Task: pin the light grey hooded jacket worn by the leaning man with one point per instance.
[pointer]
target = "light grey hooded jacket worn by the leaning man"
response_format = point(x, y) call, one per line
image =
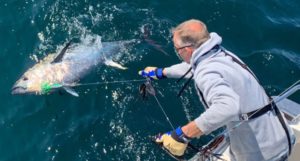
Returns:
point(229, 90)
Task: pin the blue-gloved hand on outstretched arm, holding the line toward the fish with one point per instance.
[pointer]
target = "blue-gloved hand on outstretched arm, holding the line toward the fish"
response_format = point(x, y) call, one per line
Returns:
point(152, 72)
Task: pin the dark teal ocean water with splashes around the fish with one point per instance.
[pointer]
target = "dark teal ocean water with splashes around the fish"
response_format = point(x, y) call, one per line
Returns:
point(112, 122)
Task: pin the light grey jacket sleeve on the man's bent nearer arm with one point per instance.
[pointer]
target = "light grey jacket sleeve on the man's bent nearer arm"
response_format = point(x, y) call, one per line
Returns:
point(222, 100)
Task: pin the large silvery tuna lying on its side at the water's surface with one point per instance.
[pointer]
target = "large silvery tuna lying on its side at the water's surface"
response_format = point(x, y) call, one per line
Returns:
point(68, 66)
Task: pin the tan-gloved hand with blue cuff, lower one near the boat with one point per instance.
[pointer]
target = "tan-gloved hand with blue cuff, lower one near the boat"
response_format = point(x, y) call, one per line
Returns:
point(175, 141)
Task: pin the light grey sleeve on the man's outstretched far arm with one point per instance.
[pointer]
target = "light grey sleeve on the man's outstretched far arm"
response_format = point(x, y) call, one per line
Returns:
point(178, 70)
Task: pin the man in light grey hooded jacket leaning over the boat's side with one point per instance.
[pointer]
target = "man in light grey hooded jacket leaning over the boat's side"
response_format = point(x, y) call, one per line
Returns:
point(230, 92)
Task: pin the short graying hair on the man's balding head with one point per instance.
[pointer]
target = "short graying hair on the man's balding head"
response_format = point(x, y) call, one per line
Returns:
point(190, 35)
